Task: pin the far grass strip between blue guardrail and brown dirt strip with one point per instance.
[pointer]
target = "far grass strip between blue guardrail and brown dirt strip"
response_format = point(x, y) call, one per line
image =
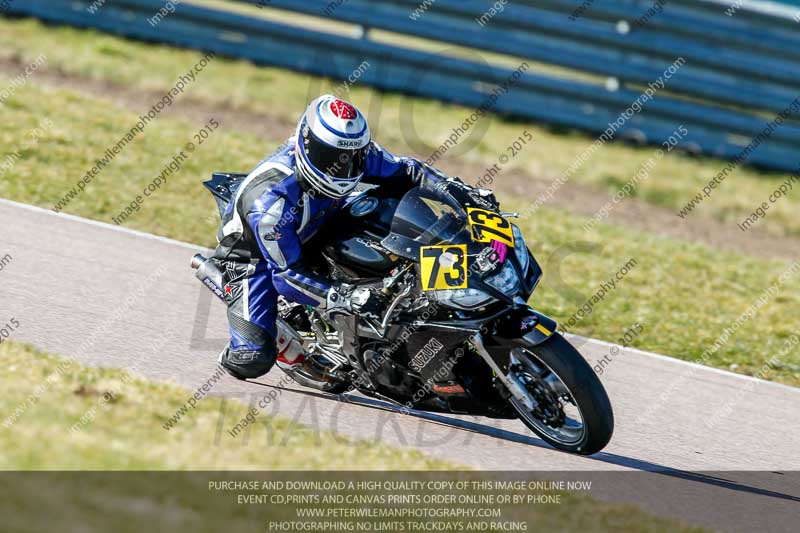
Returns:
point(672, 183)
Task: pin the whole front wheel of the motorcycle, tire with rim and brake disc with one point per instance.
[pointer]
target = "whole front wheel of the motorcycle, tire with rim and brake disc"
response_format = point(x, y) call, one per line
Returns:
point(569, 407)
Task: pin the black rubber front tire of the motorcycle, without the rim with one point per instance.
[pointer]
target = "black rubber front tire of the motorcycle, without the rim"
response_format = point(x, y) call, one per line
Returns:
point(585, 388)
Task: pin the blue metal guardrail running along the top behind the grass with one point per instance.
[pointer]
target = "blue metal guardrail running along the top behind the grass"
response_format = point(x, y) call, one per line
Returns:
point(739, 71)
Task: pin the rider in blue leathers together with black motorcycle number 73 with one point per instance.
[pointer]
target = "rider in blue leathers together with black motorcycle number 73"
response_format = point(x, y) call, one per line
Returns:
point(416, 279)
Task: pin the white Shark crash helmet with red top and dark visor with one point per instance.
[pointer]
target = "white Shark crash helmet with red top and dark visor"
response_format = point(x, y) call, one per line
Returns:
point(332, 142)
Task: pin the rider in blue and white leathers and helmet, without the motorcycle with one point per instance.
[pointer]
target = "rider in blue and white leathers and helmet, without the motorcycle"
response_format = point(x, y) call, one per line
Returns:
point(280, 206)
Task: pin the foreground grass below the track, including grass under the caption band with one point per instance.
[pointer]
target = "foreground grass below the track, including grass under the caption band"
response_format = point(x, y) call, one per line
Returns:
point(123, 432)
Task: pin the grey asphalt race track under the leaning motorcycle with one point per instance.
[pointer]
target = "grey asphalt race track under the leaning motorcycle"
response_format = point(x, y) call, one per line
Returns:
point(717, 449)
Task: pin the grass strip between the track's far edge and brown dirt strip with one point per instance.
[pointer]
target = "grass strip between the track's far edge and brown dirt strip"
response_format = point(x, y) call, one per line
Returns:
point(684, 294)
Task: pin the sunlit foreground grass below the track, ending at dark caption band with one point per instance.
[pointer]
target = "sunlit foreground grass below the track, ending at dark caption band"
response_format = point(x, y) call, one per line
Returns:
point(119, 417)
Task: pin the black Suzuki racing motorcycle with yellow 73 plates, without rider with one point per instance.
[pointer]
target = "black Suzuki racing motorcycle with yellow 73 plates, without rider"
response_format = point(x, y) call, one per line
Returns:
point(456, 334)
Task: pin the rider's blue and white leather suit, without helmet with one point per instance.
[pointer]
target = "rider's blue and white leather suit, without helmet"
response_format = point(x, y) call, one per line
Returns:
point(273, 215)
